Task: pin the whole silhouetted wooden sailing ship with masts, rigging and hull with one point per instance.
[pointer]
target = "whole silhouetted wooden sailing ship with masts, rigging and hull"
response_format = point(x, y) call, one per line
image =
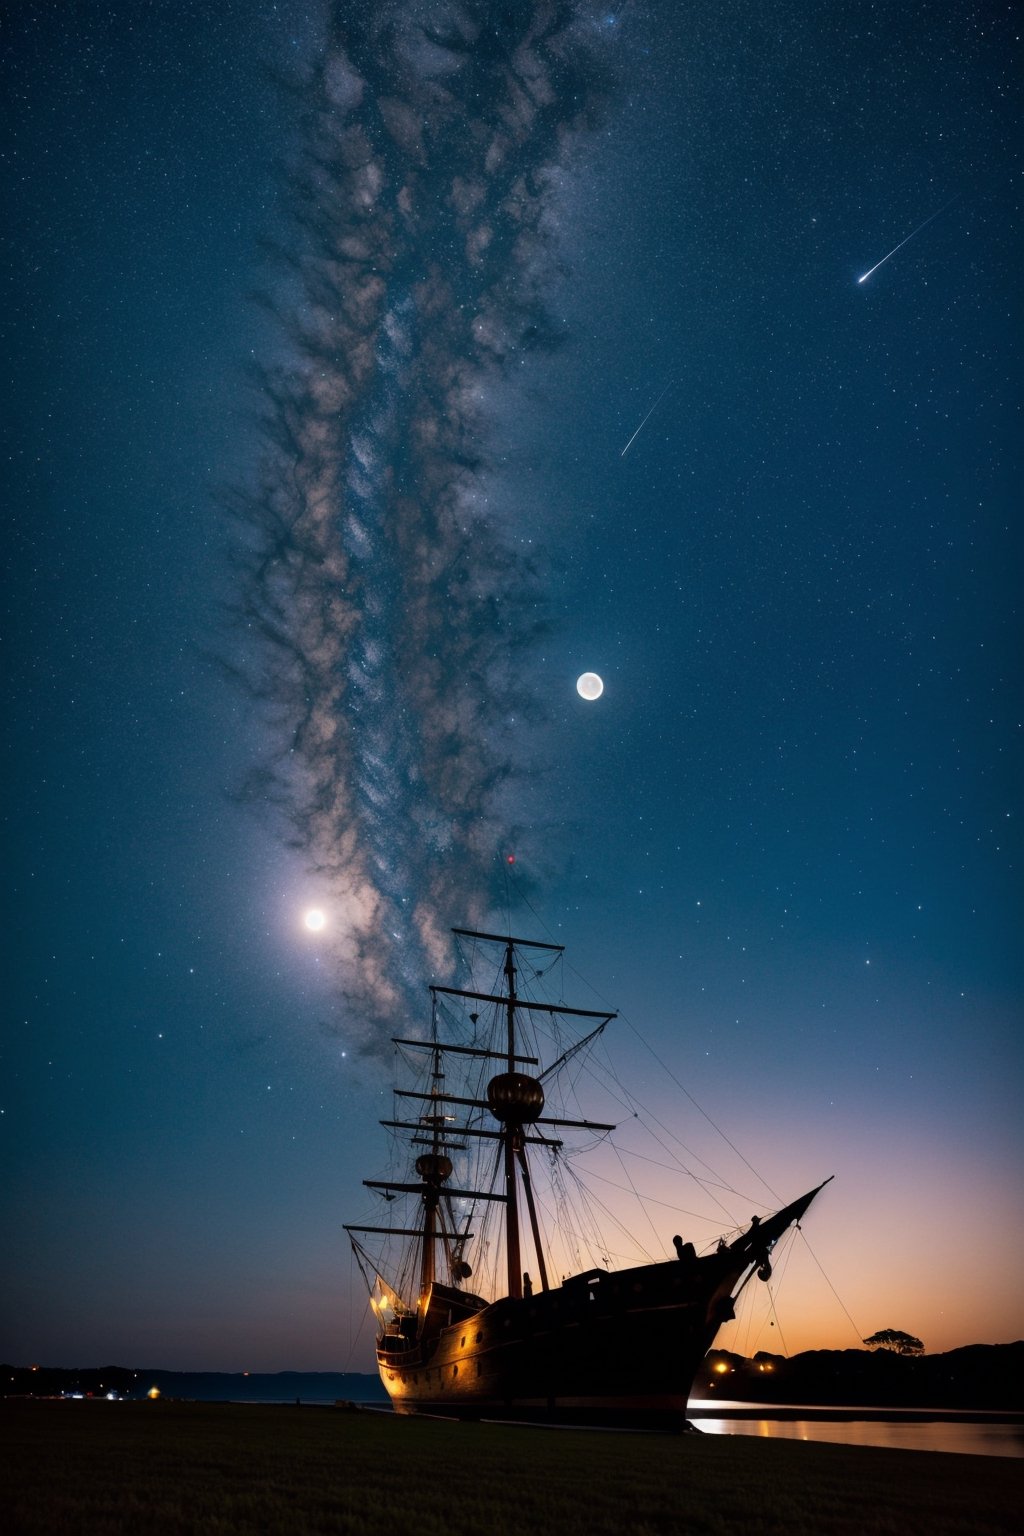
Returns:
point(603, 1345)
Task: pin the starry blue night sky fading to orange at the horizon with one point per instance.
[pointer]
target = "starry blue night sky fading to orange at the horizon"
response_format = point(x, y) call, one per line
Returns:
point(325, 334)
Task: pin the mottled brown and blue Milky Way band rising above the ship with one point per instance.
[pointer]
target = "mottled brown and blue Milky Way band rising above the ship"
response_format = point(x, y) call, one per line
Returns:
point(392, 609)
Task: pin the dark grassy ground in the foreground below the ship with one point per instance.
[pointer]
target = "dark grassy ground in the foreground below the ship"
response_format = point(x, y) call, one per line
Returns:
point(116, 1469)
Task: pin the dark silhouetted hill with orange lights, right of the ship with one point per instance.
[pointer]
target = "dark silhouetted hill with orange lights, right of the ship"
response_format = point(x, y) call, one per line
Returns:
point(977, 1377)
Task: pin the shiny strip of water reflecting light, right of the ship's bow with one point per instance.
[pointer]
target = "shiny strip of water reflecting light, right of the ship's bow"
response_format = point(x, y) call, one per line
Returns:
point(965, 1435)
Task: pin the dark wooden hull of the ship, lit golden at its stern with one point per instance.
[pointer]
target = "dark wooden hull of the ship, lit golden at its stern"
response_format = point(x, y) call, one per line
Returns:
point(600, 1349)
